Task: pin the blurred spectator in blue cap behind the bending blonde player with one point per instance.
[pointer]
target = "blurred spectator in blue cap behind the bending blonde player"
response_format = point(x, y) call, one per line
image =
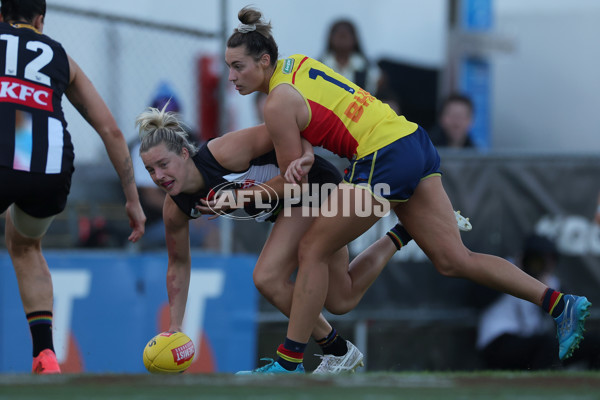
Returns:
point(203, 233)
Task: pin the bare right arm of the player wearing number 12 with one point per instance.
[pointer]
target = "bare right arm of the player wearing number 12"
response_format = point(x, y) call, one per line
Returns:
point(84, 97)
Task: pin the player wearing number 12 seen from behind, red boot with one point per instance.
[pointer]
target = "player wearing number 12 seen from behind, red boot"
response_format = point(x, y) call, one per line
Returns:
point(36, 156)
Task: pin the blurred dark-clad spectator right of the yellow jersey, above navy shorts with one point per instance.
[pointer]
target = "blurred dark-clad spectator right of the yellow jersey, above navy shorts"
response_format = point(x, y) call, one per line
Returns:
point(454, 123)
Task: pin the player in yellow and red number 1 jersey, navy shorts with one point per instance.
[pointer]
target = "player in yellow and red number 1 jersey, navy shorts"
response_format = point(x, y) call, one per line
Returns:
point(307, 99)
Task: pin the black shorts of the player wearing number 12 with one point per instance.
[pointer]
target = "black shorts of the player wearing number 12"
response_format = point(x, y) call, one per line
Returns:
point(38, 195)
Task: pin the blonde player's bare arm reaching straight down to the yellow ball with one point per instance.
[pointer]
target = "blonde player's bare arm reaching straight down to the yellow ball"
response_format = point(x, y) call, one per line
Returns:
point(177, 234)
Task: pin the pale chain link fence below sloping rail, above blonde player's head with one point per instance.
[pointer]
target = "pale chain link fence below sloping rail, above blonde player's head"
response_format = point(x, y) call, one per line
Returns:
point(127, 60)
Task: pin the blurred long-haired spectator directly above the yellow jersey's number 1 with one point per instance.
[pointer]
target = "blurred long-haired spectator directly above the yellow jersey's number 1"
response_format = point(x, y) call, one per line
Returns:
point(344, 54)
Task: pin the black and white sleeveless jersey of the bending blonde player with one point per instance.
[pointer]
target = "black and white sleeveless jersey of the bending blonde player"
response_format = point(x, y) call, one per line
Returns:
point(261, 170)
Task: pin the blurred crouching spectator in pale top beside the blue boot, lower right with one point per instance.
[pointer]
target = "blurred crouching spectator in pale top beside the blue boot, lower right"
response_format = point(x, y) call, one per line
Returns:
point(515, 334)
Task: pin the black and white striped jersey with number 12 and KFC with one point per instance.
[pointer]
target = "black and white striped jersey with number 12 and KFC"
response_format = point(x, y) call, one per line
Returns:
point(34, 74)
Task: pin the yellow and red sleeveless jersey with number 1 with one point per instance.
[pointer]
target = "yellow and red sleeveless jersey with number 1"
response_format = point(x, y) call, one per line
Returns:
point(344, 118)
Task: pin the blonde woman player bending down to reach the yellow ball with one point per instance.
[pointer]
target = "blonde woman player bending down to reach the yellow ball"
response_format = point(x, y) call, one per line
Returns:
point(189, 174)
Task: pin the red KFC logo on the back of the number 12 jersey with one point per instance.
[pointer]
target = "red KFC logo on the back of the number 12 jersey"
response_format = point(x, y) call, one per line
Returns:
point(16, 91)
